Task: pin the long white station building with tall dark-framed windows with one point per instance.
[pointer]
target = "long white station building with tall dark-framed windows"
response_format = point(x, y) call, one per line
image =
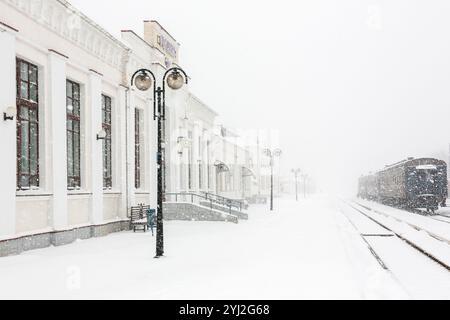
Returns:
point(65, 84)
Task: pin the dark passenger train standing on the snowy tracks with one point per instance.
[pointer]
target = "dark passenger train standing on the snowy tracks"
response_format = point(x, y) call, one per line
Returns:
point(411, 183)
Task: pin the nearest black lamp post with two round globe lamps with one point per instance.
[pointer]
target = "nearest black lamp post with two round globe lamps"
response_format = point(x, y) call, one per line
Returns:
point(144, 80)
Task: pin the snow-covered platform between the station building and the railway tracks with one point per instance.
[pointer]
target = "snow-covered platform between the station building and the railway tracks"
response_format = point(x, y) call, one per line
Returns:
point(305, 250)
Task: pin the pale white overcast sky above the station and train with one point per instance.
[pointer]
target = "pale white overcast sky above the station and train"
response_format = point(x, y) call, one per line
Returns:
point(351, 85)
